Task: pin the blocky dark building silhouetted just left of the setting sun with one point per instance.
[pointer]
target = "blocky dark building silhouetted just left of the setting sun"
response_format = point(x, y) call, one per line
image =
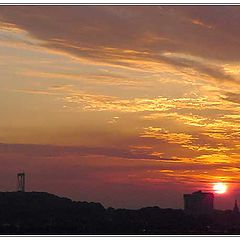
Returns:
point(199, 203)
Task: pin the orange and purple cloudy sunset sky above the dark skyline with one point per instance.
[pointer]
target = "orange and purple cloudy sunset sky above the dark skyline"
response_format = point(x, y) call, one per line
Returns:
point(130, 106)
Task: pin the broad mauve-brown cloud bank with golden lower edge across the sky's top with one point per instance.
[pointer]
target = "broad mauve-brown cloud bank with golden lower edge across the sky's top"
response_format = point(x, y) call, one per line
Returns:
point(140, 40)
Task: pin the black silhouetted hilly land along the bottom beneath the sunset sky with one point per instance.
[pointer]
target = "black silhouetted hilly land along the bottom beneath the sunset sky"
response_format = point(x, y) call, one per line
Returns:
point(44, 213)
